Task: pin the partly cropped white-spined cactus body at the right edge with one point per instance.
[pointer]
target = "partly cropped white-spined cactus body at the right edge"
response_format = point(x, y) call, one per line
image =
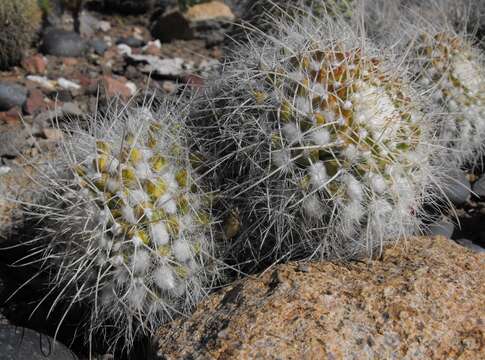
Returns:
point(452, 70)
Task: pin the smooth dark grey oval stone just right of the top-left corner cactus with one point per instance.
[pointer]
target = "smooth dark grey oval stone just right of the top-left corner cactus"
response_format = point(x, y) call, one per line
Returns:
point(59, 42)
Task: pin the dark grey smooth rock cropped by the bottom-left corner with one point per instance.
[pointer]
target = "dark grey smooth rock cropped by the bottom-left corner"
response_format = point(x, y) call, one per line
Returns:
point(25, 344)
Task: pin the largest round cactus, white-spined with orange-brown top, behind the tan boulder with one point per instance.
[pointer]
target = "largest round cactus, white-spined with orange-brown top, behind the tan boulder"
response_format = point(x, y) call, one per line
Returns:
point(321, 143)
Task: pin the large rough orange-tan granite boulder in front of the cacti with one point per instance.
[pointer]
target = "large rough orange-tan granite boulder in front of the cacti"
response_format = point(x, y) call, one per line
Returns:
point(423, 300)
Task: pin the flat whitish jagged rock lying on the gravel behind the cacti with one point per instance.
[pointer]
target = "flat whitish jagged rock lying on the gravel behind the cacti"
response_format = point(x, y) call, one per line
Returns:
point(162, 67)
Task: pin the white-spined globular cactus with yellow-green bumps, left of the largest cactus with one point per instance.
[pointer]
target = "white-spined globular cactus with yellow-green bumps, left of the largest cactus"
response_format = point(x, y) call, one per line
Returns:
point(126, 226)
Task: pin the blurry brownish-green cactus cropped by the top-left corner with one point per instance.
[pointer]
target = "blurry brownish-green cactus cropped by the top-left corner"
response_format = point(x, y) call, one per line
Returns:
point(21, 19)
